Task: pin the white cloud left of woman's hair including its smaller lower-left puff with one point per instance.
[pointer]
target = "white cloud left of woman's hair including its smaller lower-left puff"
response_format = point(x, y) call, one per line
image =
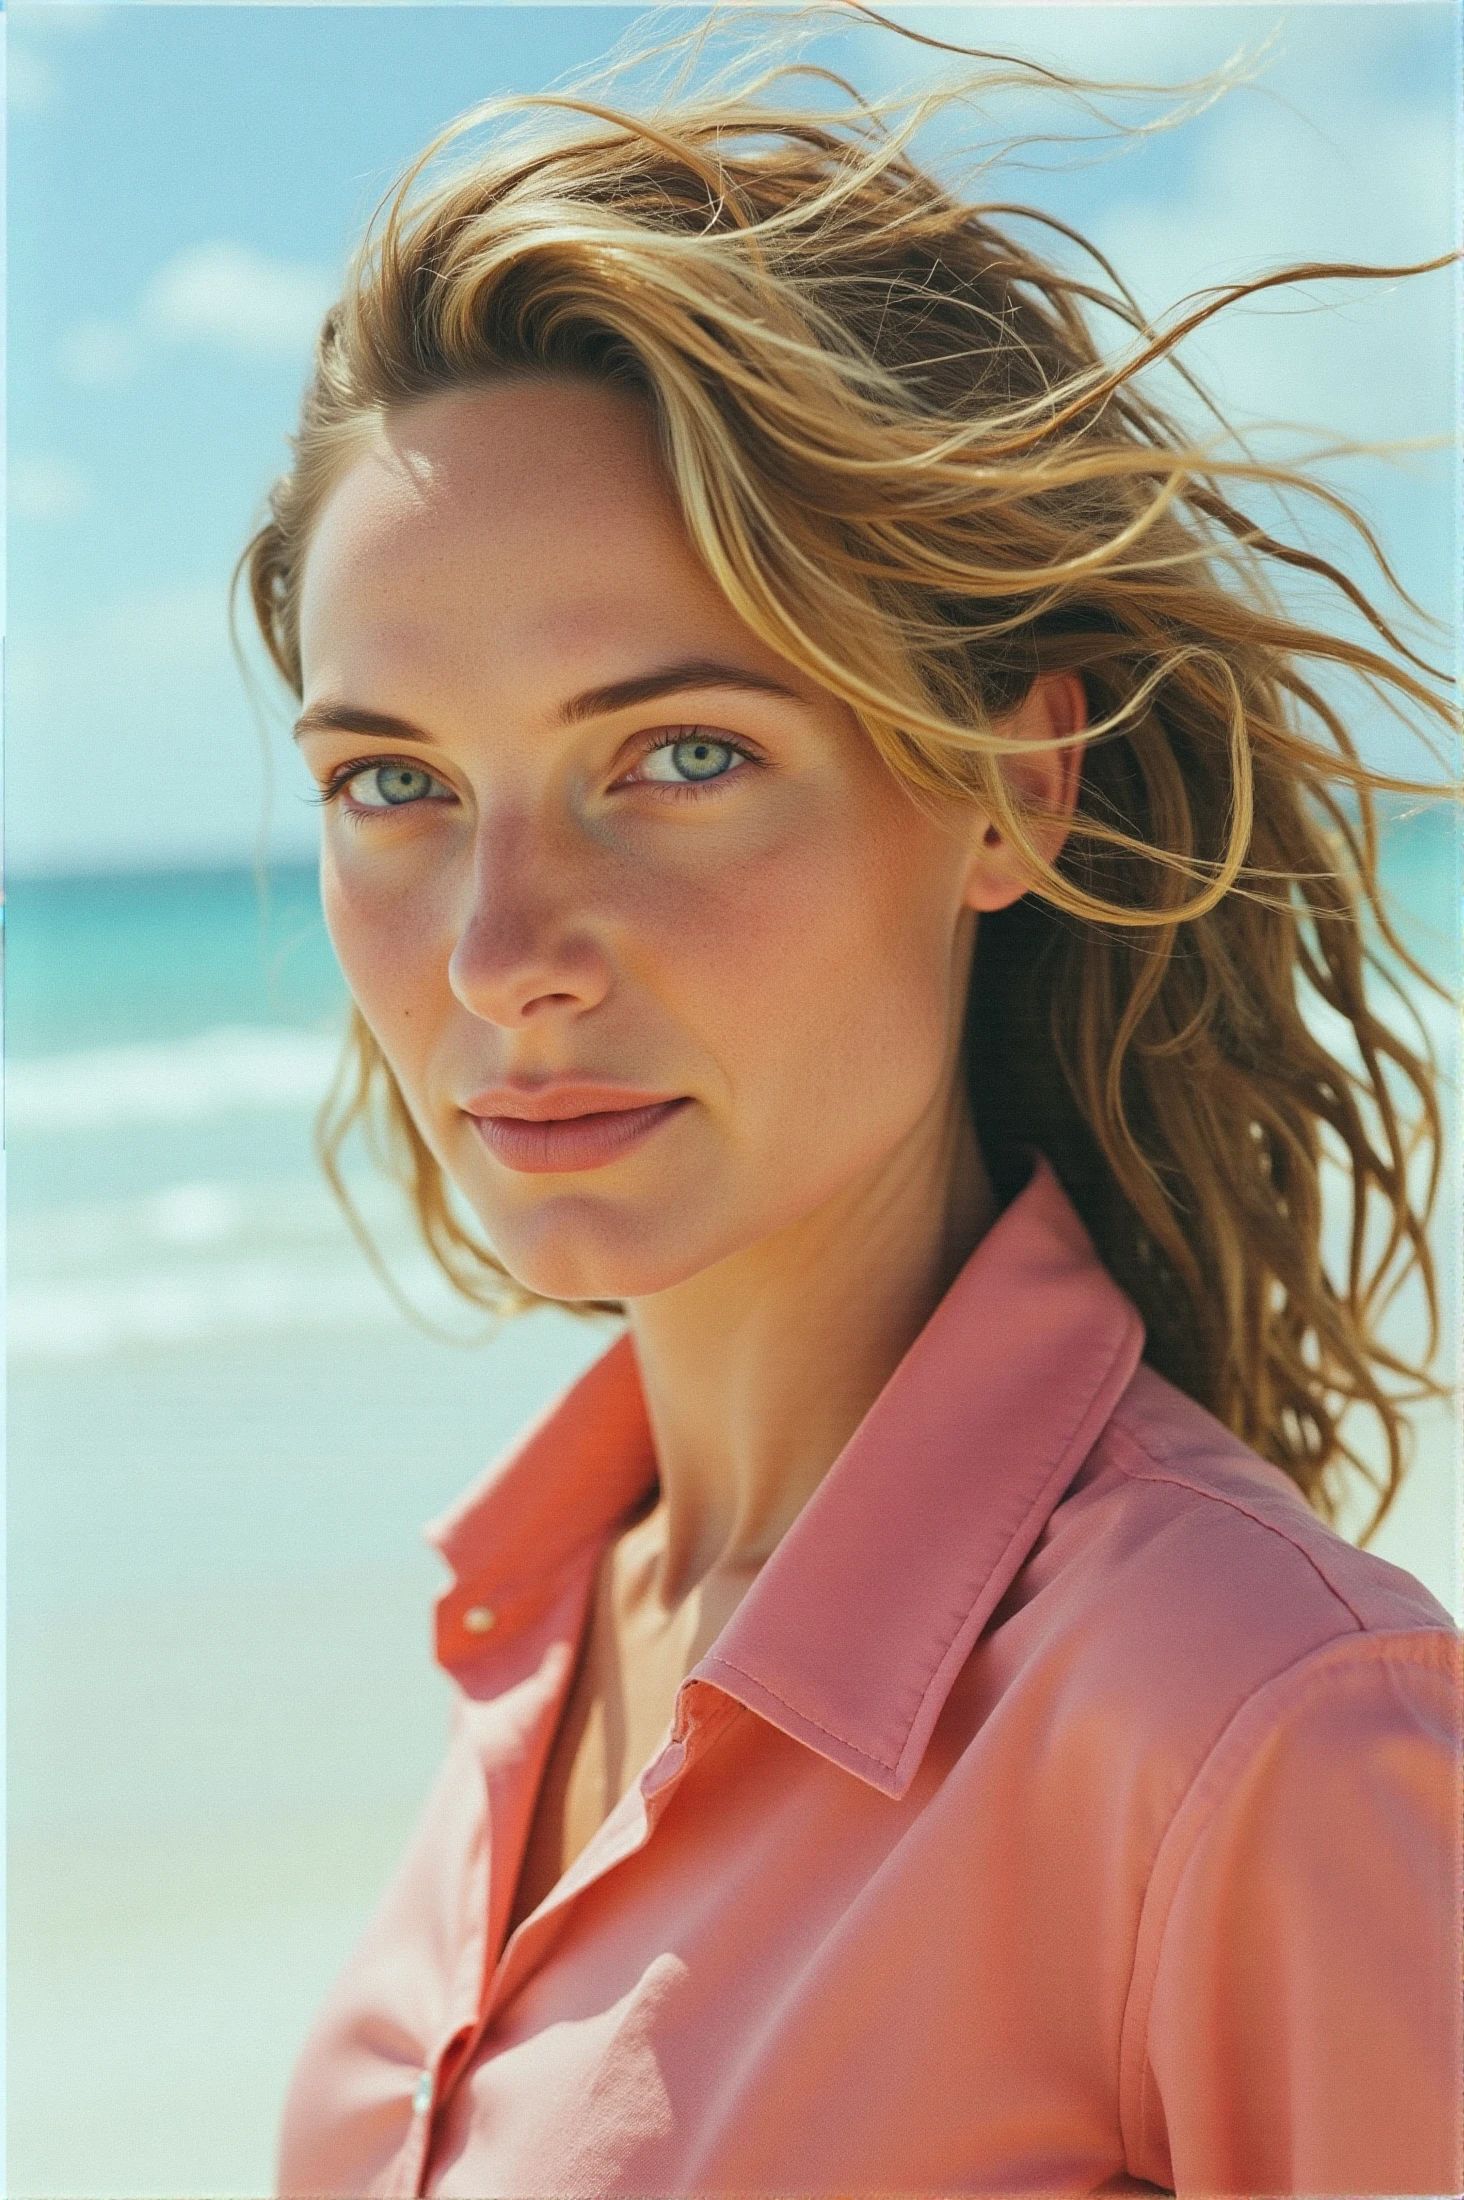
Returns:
point(223, 294)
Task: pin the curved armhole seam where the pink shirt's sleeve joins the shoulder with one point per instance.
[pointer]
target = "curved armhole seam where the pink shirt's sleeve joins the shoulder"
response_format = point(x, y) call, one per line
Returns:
point(1412, 1647)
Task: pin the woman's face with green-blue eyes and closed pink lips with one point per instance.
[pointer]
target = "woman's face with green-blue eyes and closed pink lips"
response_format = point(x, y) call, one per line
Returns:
point(659, 951)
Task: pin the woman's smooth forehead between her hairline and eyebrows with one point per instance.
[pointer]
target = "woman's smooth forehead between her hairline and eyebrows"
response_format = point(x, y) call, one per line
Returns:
point(527, 516)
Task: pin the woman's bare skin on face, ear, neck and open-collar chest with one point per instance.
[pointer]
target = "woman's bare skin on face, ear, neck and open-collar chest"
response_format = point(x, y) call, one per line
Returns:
point(787, 949)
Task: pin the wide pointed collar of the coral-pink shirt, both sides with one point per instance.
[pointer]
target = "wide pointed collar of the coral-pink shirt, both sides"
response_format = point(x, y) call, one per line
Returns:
point(853, 1633)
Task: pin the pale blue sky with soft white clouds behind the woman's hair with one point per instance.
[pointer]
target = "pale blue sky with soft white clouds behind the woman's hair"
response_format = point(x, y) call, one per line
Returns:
point(186, 184)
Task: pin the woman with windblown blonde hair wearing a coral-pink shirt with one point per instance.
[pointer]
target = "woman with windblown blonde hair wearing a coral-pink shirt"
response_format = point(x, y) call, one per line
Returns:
point(829, 835)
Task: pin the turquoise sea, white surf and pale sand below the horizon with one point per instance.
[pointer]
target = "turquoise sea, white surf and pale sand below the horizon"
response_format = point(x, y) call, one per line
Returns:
point(223, 1440)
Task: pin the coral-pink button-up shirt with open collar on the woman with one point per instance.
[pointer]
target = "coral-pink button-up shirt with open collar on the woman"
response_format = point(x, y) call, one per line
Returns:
point(1064, 1809)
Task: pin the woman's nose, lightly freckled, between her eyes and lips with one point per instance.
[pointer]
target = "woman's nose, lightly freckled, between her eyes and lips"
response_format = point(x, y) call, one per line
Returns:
point(527, 947)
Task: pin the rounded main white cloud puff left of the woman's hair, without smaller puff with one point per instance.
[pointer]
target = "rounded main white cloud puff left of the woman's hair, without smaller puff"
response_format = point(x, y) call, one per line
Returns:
point(237, 298)
